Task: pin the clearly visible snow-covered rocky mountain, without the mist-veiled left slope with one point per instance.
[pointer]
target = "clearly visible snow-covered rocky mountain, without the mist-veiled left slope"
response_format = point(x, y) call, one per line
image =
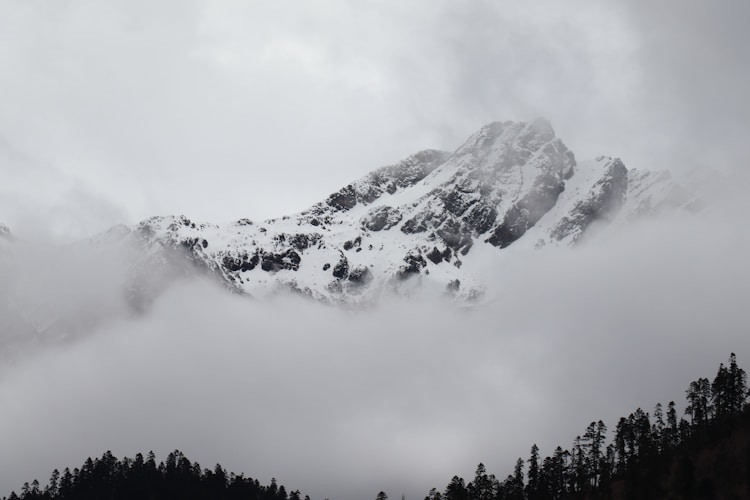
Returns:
point(413, 224)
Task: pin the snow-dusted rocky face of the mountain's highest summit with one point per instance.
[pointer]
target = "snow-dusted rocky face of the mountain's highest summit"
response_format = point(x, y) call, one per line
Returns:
point(508, 175)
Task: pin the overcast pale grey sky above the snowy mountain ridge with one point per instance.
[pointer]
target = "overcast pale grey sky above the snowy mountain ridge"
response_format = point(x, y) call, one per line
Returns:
point(113, 112)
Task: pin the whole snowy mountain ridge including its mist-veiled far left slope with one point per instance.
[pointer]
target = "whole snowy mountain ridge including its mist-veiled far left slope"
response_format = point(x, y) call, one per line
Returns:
point(431, 223)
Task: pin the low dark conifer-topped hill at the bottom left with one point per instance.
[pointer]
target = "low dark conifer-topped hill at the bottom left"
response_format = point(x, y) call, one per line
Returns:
point(108, 478)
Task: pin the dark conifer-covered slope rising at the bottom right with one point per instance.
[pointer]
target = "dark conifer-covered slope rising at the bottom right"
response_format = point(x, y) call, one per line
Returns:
point(650, 456)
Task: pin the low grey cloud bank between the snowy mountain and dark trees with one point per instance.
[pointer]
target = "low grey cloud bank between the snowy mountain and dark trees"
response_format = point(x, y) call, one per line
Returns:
point(399, 398)
